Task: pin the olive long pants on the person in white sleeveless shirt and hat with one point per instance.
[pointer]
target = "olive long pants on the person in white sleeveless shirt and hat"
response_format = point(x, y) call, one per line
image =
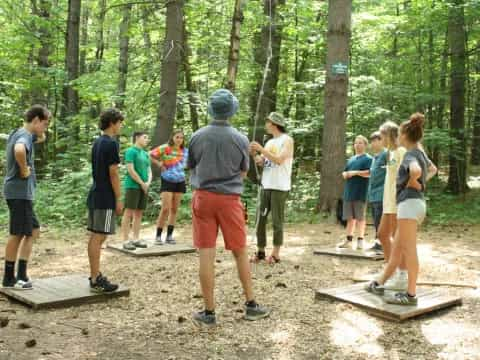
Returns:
point(271, 201)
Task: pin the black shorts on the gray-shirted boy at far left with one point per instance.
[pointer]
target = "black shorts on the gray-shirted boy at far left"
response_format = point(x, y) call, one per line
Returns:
point(22, 217)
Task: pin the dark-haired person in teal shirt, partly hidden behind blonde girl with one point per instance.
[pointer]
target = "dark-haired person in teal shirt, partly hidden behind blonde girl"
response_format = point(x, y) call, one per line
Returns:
point(376, 184)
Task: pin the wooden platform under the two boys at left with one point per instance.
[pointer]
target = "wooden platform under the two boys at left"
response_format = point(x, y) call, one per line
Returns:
point(61, 291)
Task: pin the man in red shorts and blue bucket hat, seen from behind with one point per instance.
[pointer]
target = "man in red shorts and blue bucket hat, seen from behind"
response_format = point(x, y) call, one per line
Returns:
point(218, 159)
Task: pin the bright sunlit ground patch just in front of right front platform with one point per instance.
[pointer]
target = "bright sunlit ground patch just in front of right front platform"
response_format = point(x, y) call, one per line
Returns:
point(357, 331)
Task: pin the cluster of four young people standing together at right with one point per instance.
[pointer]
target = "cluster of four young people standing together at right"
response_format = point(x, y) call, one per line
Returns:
point(393, 182)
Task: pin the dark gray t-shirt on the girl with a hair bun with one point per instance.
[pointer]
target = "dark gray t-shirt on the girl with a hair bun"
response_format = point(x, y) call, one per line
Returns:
point(404, 193)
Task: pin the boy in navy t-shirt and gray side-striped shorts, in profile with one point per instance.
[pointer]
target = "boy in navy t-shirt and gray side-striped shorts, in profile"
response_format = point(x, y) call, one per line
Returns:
point(104, 198)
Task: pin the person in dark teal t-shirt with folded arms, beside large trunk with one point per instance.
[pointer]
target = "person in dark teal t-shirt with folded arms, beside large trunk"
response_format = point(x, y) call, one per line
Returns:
point(356, 174)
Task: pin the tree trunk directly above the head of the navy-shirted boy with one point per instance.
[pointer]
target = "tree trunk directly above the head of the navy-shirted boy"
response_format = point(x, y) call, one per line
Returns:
point(123, 56)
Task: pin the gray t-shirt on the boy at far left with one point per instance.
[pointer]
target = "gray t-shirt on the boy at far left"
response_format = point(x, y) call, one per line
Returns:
point(14, 187)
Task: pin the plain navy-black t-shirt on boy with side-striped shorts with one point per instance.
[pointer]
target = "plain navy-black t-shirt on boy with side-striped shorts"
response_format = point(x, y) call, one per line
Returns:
point(105, 152)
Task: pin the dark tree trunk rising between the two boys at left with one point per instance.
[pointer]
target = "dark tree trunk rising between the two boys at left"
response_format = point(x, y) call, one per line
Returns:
point(70, 95)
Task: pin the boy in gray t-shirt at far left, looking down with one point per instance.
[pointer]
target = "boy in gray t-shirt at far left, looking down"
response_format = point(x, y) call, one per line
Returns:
point(19, 192)
